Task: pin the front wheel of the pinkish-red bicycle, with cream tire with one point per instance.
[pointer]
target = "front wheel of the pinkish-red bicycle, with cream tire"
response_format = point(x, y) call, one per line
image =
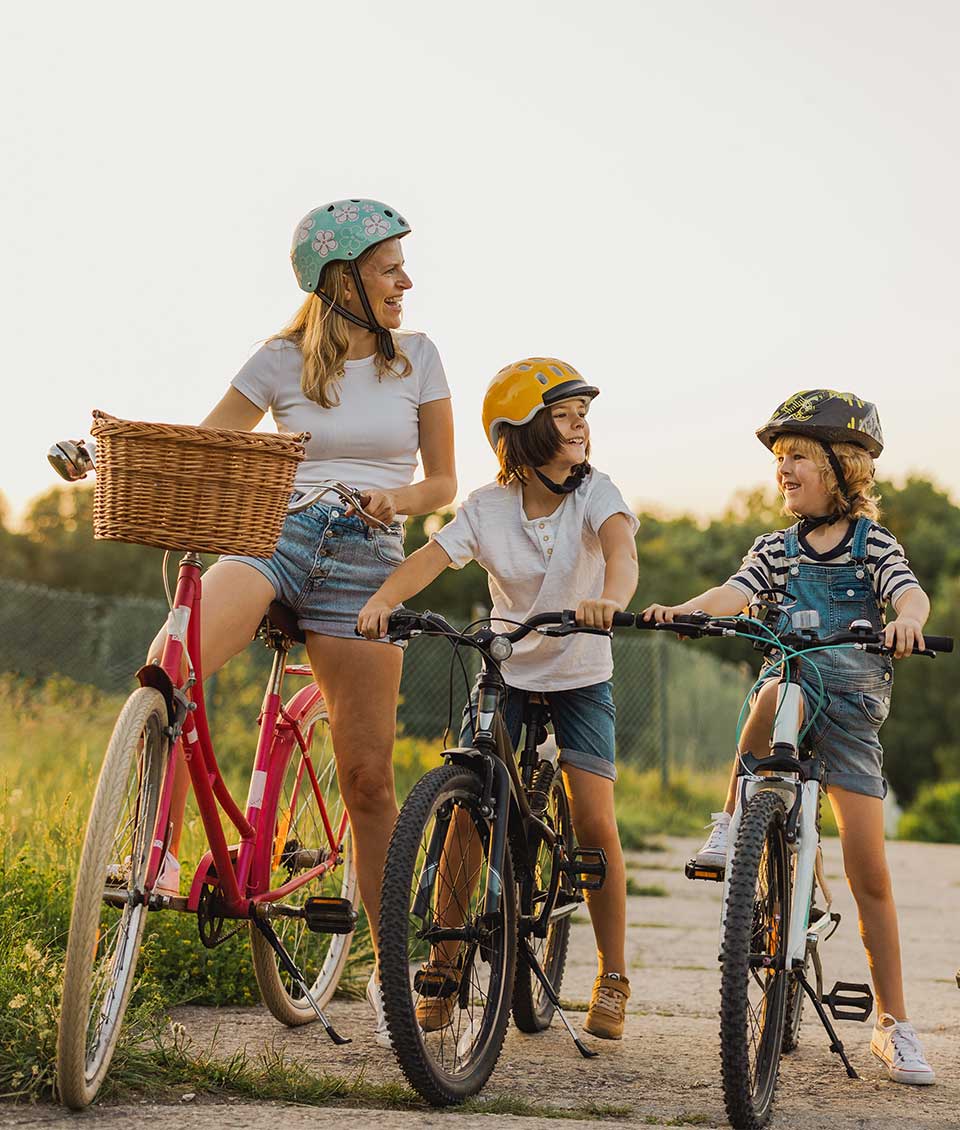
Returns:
point(107, 923)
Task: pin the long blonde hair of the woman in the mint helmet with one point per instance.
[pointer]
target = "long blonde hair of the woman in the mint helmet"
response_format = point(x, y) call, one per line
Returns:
point(321, 336)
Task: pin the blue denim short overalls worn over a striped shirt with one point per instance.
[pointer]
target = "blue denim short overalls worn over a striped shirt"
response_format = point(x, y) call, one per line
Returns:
point(857, 684)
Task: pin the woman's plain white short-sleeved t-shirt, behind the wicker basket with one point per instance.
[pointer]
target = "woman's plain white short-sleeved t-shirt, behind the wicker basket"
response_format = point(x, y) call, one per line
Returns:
point(370, 440)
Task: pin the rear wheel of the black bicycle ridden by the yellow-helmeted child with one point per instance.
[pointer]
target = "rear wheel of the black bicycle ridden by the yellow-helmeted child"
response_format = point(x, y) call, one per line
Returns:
point(531, 1006)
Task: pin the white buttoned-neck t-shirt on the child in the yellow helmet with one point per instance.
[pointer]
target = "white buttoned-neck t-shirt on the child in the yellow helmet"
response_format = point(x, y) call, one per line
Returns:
point(492, 528)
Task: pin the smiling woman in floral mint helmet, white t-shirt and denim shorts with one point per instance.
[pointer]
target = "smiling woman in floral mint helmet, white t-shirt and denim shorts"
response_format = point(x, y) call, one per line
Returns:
point(372, 398)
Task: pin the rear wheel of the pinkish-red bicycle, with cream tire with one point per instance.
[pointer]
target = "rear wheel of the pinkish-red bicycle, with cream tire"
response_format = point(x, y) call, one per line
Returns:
point(301, 842)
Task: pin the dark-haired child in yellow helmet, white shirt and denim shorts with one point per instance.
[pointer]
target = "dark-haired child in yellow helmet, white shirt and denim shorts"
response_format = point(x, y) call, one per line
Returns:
point(552, 533)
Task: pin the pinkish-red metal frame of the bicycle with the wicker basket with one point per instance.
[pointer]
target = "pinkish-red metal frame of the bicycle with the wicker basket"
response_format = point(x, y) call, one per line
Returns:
point(242, 872)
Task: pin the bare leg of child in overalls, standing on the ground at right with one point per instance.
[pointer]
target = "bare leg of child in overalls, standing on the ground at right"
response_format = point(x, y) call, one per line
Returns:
point(860, 821)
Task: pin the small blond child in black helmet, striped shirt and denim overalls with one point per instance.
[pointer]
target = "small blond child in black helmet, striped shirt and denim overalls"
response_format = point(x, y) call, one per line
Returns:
point(839, 561)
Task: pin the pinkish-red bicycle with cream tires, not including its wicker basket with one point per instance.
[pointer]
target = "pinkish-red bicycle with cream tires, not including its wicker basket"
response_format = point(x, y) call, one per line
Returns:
point(290, 873)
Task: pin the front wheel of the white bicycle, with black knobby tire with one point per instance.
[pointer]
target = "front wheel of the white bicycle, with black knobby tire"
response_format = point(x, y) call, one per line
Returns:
point(754, 981)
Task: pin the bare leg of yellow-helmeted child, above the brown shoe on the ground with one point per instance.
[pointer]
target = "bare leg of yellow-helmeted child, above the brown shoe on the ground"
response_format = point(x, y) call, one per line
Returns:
point(596, 827)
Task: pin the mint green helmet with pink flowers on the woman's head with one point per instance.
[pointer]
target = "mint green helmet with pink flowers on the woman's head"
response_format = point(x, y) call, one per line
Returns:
point(341, 231)
